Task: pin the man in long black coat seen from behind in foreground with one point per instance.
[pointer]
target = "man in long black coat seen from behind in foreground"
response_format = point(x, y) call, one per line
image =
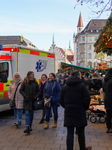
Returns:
point(75, 99)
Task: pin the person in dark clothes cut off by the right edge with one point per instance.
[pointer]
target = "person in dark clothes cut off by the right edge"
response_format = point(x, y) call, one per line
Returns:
point(108, 99)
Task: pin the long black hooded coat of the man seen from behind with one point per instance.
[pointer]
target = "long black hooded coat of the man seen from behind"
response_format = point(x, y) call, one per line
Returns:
point(75, 99)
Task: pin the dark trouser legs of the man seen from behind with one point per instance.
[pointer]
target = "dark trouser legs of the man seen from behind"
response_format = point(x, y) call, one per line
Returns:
point(70, 138)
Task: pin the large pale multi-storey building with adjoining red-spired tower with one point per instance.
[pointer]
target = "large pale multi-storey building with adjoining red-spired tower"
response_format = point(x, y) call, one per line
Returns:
point(84, 40)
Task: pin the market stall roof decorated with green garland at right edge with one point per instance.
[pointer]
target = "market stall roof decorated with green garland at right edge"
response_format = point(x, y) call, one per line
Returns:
point(104, 42)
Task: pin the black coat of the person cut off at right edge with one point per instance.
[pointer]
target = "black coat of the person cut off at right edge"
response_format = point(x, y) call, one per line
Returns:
point(108, 91)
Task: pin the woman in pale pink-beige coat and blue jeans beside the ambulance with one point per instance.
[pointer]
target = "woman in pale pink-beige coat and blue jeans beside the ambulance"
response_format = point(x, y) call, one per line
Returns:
point(13, 93)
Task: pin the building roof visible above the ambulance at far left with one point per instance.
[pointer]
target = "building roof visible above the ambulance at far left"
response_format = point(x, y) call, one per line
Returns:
point(6, 40)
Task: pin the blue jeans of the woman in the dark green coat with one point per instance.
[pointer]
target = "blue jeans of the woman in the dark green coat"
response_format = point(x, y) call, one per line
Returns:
point(29, 117)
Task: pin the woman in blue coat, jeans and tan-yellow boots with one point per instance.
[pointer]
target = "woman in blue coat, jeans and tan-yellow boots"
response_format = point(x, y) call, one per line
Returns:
point(52, 88)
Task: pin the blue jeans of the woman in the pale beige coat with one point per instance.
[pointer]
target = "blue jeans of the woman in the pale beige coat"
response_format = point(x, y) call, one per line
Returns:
point(18, 115)
